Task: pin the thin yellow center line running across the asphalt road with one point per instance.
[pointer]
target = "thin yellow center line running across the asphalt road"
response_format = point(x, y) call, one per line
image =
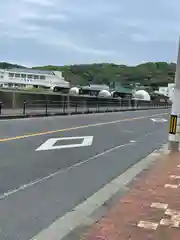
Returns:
point(77, 127)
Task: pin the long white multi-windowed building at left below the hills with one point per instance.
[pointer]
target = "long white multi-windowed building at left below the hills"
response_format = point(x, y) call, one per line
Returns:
point(25, 77)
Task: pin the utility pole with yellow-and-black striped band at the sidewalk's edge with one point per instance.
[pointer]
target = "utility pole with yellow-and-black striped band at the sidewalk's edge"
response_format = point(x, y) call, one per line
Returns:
point(174, 129)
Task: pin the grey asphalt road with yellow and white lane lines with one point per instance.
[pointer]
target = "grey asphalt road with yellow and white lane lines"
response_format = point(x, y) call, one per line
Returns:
point(37, 187)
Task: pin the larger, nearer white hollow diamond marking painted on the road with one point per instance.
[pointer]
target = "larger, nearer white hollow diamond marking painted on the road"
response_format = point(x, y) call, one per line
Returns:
point(49, 144)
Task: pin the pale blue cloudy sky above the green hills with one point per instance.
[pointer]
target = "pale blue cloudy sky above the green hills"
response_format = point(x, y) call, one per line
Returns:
point(42, 32)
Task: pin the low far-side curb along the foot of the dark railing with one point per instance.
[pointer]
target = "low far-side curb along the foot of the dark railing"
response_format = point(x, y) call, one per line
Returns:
point(21, 116)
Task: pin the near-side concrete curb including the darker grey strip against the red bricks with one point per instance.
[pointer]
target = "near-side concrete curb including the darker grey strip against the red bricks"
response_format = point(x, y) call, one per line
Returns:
point(74, 223)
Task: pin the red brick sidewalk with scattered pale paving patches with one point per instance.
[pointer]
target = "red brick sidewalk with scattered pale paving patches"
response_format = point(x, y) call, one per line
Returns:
point(149, 211)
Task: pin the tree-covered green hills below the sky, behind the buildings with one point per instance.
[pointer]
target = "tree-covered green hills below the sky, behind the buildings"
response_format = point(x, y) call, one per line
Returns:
point(150, 74)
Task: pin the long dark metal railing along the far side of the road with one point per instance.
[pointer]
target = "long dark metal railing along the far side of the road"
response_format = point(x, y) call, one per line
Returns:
point(46, 108)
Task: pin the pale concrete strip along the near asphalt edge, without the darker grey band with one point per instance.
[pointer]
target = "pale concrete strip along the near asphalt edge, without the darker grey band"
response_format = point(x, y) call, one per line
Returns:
point(79, 215)
